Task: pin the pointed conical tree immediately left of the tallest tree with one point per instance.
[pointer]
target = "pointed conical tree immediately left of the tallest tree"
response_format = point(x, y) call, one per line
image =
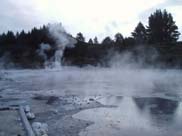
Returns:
point(140, 34)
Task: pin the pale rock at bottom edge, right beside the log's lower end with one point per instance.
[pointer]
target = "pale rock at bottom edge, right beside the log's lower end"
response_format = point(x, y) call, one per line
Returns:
point(40, 129)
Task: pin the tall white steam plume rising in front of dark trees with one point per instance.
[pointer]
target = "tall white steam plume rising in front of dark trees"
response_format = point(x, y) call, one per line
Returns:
point(62, 40)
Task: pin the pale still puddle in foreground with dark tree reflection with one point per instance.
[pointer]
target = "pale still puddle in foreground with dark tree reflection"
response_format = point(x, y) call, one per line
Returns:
point(134, 117)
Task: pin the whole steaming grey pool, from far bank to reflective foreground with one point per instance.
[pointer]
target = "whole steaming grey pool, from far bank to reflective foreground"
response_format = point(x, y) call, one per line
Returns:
point(132, 102)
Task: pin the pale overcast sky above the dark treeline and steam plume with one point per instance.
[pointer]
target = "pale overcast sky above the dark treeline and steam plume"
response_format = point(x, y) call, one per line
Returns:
point(91, 17)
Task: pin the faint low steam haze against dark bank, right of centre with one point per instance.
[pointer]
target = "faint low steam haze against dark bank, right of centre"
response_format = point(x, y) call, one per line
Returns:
point(139, 57)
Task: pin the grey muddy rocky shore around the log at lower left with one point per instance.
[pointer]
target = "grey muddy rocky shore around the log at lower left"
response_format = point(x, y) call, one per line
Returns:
point(55, 111)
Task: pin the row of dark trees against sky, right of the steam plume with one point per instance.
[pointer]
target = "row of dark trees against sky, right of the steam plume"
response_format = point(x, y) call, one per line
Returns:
point(161, 29)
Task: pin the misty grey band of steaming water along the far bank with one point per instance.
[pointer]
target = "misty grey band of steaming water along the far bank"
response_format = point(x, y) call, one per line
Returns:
point(96, 81)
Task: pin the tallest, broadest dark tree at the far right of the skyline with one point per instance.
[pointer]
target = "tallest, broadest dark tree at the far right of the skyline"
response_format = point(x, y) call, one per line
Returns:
point(162, 28)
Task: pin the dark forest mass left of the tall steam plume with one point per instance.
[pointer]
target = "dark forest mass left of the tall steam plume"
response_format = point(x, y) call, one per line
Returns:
point(22, 48)
